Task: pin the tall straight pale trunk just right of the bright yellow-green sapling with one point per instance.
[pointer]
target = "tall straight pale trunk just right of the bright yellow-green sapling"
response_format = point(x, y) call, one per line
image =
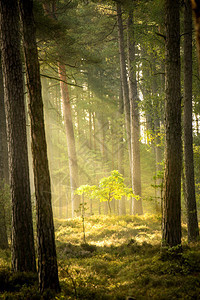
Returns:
point(134, 120)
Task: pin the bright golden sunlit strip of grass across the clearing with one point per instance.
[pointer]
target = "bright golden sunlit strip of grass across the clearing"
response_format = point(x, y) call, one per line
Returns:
point(110, 230)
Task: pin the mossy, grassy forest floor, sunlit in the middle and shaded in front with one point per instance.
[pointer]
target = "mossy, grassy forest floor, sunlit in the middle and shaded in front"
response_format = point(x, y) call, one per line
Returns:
point(121, 259)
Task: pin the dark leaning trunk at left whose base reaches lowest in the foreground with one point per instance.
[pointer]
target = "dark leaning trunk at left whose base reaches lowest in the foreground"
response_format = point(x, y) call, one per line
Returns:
point(47, 260)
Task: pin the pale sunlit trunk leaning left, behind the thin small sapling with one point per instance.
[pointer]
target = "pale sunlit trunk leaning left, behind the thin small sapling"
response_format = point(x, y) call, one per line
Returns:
point(73, 164)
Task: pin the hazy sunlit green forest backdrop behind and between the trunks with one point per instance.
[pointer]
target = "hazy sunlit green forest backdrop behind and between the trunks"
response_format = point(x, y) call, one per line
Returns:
point(92, 65)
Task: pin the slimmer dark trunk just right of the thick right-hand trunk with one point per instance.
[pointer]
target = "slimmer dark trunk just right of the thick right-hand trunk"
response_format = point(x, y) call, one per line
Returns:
point(192, 222)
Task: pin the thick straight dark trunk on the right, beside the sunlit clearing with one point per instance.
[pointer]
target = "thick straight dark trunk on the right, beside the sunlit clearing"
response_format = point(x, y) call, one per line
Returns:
point(171, 234)
